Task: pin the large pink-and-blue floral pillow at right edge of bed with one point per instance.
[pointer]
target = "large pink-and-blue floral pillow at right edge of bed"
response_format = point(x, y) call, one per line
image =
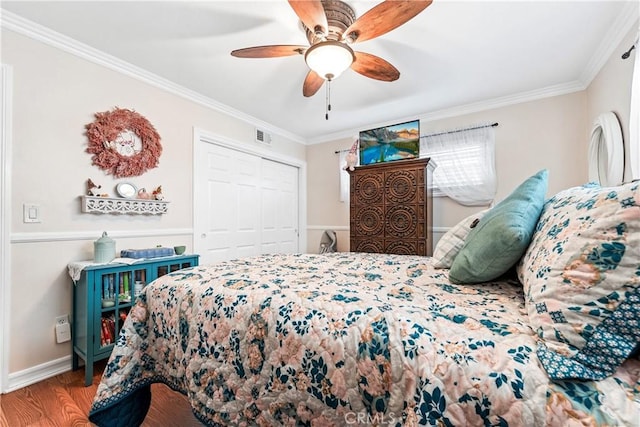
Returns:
point(583, 262)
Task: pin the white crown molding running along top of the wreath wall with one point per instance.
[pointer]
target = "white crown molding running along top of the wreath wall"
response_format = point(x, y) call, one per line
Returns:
point(20, 25)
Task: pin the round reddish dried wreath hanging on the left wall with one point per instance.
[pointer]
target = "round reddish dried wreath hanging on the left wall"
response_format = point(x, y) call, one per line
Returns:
point(123, 143)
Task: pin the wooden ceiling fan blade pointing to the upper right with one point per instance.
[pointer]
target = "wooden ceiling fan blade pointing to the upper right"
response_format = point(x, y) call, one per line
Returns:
point(383, 18)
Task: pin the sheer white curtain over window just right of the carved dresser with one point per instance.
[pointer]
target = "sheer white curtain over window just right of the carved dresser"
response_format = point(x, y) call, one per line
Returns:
point(465, 164)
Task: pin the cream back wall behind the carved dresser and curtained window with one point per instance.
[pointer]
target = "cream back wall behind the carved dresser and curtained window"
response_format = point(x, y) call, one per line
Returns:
point(548, 133)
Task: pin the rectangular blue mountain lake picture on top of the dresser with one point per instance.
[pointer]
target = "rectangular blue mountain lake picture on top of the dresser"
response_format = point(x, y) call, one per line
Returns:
point(388, 143)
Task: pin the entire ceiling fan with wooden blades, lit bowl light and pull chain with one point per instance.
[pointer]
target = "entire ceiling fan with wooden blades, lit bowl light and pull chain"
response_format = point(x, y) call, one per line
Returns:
point(331, 27)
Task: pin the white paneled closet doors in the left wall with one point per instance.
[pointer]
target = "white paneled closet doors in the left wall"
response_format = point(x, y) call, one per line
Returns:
point(244, 204)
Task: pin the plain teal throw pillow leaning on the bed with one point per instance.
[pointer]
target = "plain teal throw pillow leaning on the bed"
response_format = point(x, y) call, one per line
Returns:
point(503, 234)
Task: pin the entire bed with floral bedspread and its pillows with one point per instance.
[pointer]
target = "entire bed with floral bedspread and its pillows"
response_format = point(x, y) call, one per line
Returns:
point(396, 340)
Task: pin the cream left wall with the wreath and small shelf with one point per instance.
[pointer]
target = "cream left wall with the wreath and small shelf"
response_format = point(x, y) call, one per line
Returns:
point(55, 94)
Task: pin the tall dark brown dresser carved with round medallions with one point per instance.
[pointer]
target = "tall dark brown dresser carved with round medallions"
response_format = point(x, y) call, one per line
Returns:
point(391, 208)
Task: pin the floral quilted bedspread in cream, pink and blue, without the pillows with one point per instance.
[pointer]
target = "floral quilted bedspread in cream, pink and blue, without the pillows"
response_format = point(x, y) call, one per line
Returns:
point(346, 339)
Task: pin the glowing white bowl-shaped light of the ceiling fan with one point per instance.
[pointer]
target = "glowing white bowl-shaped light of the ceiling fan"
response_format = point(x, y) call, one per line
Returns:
point(329, 58)
